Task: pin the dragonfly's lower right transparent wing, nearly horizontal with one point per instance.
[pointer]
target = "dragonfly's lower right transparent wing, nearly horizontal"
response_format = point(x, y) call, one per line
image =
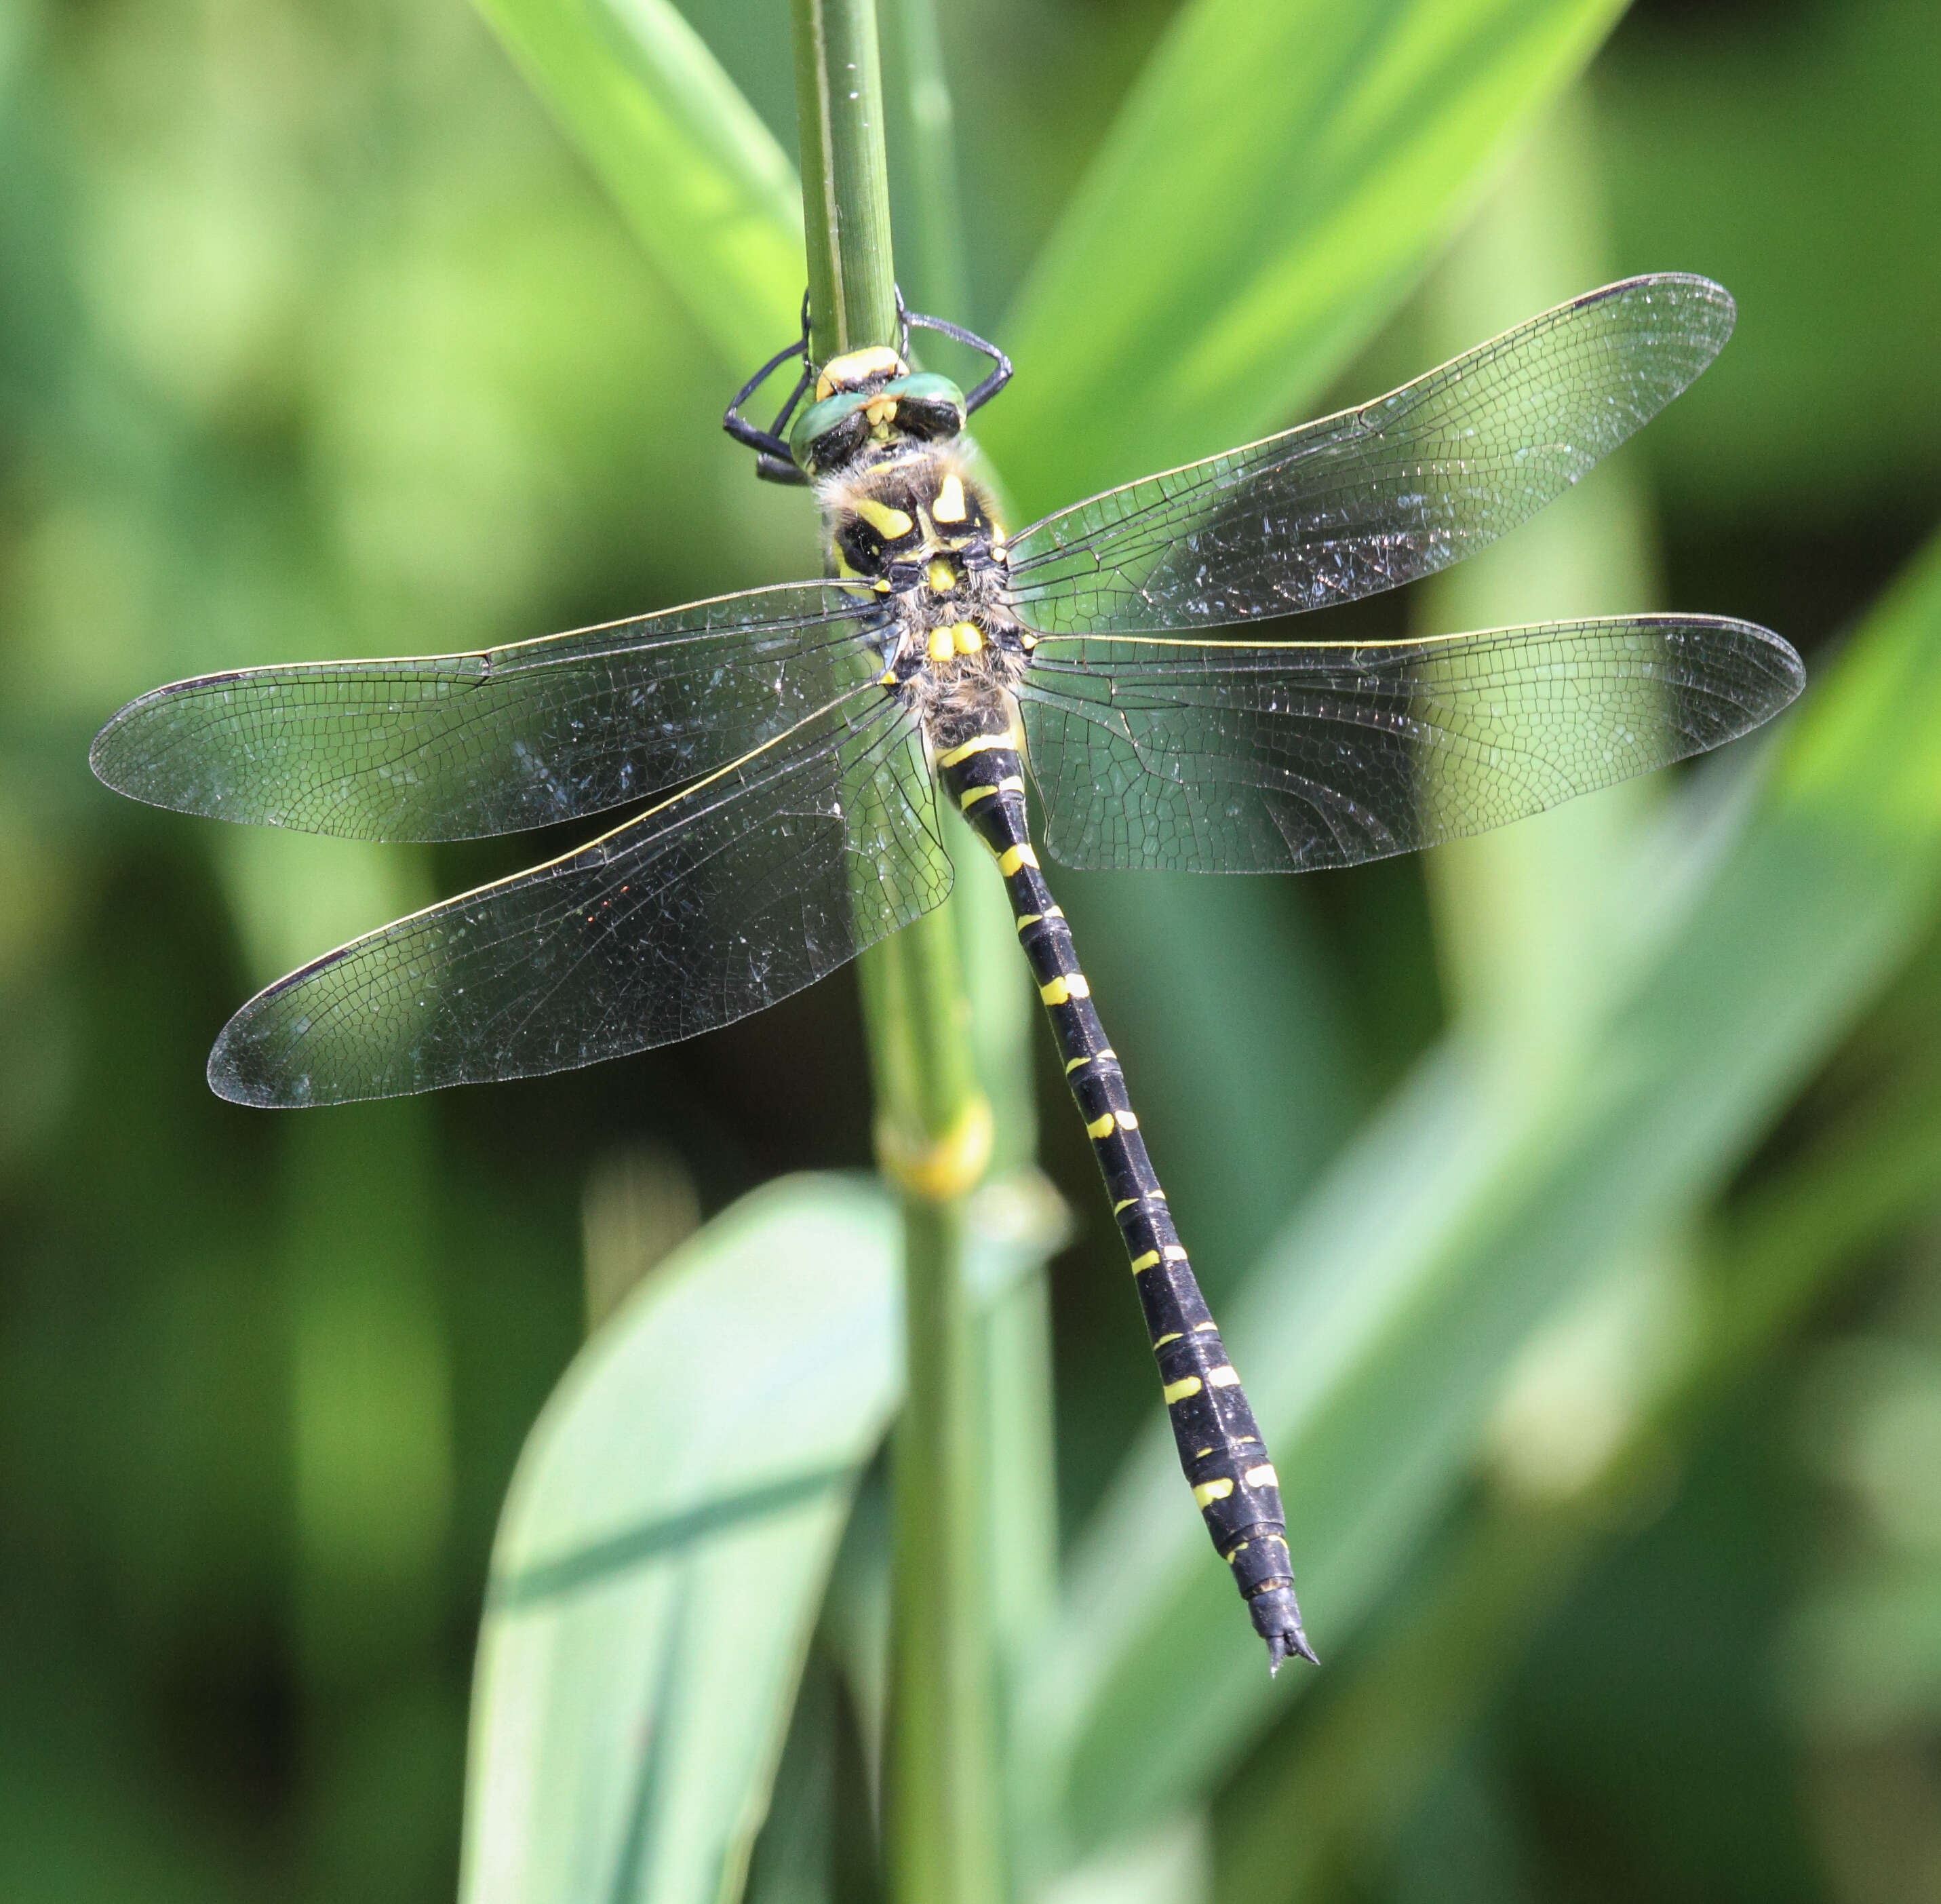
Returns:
point(1245, 760)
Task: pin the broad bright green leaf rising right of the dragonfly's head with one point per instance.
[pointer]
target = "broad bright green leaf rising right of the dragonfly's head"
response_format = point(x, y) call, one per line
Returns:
point(1278, 180)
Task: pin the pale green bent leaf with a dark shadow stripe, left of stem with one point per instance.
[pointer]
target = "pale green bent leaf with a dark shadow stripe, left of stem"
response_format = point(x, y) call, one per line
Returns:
point(665, 1550)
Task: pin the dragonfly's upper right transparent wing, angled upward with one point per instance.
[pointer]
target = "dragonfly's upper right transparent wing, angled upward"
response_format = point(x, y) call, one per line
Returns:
point(1379, 496)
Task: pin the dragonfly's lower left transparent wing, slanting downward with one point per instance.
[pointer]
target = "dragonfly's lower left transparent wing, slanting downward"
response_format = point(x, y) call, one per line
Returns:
point(719, 903)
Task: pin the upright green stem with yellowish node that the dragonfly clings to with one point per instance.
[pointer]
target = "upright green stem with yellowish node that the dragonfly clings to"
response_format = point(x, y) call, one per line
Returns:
point(933, 1125)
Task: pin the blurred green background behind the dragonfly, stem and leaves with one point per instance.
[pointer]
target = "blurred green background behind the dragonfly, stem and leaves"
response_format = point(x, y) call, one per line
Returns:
point(315, 339)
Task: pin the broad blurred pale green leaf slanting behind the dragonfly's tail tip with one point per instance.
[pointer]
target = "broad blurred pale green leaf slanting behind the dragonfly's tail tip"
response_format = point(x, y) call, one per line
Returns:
point(1377, 1332)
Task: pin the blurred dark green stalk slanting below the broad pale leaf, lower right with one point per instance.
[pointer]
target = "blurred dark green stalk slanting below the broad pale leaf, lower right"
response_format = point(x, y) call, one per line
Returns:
point(1346, 1779)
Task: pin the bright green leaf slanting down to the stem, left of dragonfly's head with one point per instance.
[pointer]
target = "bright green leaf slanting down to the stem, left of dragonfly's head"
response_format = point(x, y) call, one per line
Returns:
point(704, 183)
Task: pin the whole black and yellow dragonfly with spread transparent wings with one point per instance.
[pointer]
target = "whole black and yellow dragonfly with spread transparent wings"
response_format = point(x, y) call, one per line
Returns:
point(801, 750)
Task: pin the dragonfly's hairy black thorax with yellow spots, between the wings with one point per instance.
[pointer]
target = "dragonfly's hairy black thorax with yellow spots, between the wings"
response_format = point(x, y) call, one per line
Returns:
point(923, 533)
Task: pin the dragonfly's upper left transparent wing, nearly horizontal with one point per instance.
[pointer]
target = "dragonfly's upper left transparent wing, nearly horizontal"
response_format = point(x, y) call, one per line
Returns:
point(457, 746)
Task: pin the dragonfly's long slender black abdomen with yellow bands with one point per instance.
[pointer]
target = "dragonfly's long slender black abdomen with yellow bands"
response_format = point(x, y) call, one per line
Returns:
point(1214, 1426)
